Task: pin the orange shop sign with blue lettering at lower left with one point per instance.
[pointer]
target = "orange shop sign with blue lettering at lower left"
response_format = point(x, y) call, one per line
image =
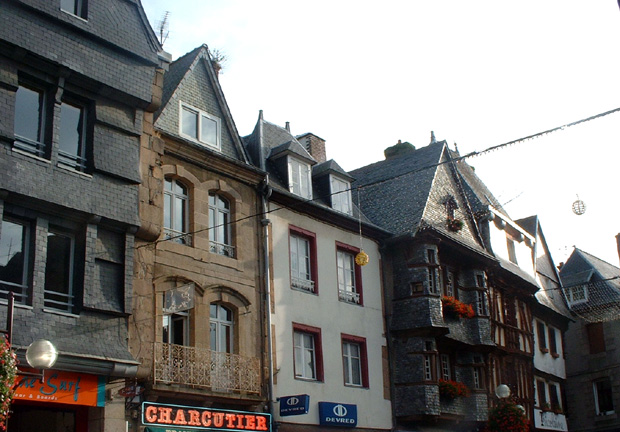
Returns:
point(62, 387)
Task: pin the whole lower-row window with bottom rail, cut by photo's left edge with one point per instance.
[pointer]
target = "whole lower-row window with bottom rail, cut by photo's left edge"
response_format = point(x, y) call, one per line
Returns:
point(15, 258)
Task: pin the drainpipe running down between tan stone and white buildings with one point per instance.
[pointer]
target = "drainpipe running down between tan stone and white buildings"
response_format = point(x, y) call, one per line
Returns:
point(265, 222)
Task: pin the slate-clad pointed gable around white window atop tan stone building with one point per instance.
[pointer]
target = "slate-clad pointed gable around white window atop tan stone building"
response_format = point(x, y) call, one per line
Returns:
point(193, 80)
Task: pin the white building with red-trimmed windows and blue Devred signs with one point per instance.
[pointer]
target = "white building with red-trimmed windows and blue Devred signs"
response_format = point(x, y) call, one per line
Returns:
point(327, 330)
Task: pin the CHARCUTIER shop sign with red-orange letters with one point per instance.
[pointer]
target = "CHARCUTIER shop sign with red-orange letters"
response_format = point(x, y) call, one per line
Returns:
point(172, 417)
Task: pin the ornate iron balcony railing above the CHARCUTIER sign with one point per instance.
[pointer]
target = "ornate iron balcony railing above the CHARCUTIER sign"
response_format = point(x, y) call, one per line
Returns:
point(203, 368)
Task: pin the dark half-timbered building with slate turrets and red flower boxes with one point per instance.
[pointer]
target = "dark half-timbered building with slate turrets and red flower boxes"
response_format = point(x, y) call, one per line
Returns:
point(458, 304)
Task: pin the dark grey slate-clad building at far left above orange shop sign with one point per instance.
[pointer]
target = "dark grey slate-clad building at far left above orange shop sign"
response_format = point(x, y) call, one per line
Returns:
point(76, 77)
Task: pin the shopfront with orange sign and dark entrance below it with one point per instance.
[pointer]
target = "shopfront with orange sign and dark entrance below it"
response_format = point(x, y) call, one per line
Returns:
point(63, 401)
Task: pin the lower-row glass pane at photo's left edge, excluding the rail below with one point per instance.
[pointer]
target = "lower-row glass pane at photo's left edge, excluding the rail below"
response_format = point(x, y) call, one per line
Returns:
point(13, 252)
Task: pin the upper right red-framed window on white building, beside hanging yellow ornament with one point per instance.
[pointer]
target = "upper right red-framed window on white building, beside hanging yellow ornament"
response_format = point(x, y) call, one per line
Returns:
point(349, 274)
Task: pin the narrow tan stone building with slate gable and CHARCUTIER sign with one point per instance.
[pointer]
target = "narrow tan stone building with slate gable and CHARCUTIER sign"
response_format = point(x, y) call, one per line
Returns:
point(198, 314)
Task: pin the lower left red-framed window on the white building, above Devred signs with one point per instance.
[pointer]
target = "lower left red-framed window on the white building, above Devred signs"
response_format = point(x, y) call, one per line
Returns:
point(307, 352)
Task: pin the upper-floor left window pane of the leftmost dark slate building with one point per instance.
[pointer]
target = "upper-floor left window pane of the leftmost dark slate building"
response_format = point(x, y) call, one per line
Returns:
point(28, 113)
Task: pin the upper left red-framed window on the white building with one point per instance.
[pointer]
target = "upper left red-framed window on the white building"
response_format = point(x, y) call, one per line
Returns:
point(302, 247)
